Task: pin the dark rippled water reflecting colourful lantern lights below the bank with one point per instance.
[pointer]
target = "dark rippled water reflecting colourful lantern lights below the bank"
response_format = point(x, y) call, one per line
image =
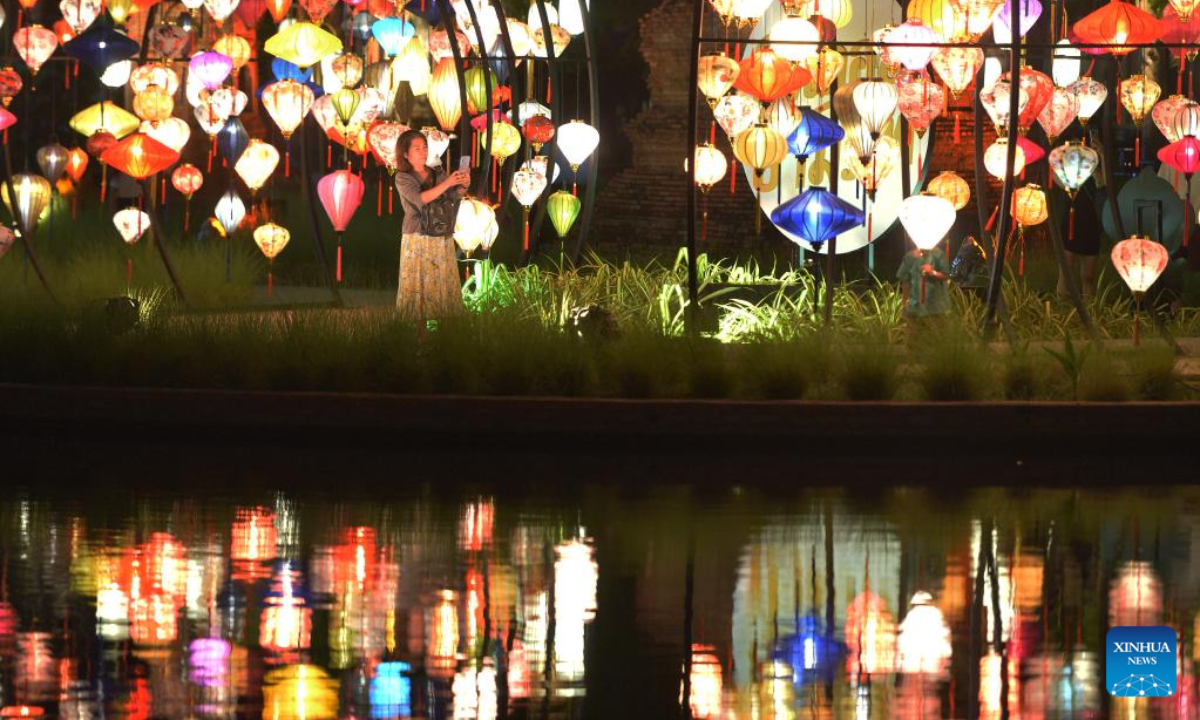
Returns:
point(590, 602)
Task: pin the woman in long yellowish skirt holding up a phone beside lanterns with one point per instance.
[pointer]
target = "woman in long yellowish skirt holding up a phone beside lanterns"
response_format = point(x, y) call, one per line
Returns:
point(429, 275)
